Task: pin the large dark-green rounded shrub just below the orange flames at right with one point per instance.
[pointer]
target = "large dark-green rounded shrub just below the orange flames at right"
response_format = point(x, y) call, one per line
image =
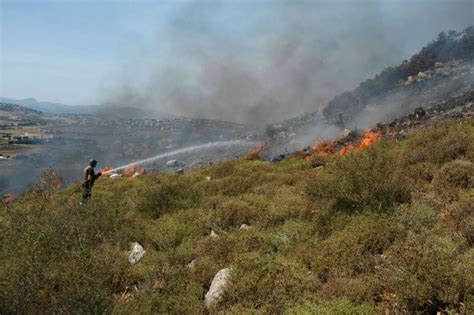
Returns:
point(366, 180)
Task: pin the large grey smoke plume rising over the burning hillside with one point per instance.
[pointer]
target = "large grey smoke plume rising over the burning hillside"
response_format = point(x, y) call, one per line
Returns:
point(262, 62)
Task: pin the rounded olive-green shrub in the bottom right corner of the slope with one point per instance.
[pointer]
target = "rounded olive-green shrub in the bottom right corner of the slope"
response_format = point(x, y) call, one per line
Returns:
point(424, 274)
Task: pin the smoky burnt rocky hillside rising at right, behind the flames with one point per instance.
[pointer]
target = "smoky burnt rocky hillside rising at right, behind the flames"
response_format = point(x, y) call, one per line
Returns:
point(441, 72)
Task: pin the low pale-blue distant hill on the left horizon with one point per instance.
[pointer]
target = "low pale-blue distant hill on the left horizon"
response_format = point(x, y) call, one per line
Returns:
point(100, 110)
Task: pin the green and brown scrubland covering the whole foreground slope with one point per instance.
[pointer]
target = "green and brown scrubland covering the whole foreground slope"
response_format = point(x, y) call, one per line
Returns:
point(387, 228)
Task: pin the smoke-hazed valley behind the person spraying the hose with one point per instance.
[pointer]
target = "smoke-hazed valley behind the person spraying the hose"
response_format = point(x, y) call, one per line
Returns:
point(31, 141)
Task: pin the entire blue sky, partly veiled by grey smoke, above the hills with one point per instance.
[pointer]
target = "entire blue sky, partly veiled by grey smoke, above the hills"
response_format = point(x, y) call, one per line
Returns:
point(235, 60)
